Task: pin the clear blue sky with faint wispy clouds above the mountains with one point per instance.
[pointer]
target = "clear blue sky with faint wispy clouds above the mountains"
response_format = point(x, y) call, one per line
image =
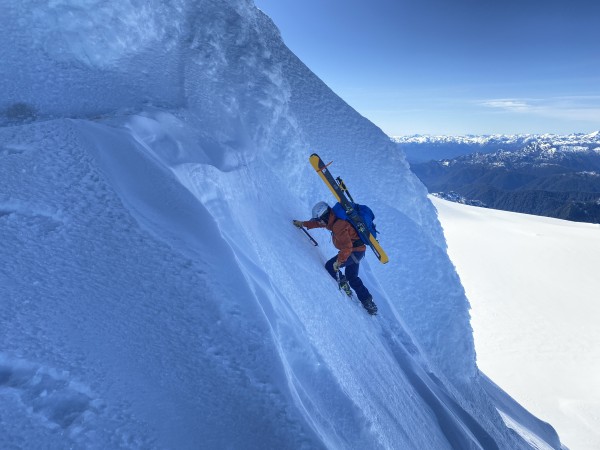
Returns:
point(453, 67)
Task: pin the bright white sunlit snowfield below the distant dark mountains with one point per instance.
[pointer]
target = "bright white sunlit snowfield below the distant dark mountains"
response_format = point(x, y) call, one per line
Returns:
point(533, 285)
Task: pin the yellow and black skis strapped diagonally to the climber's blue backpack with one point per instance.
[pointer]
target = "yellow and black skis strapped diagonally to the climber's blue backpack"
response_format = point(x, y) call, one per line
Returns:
point(339, 192)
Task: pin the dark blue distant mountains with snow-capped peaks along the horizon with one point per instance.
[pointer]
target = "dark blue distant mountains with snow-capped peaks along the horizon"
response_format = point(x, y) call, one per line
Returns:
point(549, 175)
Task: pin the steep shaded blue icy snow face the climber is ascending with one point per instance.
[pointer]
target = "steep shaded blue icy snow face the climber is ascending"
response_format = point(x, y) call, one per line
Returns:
point(154, 293)
